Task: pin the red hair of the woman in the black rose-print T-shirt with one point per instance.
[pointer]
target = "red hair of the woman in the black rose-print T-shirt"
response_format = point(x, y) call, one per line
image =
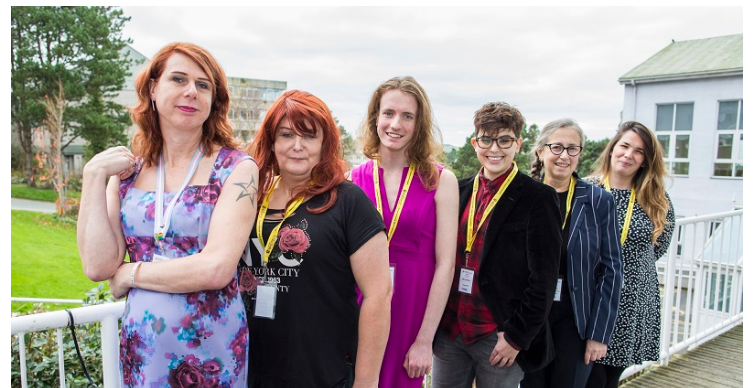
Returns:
point(301, 108)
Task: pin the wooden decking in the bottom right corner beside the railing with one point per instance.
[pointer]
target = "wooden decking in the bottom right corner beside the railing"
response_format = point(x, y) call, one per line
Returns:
point(716, 363)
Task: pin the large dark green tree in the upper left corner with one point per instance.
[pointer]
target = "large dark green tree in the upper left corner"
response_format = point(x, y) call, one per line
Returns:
point(80, 48)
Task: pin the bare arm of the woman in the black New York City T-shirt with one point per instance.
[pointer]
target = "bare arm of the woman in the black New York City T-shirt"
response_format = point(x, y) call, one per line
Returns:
point(371, 270)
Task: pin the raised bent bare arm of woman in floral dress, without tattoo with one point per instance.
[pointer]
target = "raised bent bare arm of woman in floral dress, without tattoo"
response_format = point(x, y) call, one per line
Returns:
point(101, 244)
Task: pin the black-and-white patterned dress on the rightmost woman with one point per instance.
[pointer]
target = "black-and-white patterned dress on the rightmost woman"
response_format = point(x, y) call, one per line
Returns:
point(636, 333)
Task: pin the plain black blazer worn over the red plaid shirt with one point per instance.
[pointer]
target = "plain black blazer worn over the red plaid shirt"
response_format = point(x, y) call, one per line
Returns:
point(520, 265)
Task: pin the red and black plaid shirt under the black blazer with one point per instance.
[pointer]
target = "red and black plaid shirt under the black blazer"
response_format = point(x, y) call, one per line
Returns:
point(468, 314)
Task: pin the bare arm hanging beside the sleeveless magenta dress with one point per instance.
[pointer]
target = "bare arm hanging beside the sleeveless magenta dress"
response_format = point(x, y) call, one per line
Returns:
point(418, 359)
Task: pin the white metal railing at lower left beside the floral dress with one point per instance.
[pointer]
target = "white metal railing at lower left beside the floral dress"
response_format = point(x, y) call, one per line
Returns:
point(107, 314)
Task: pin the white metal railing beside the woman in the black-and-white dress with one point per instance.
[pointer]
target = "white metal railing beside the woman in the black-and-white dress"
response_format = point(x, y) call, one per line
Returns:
point(702, 277)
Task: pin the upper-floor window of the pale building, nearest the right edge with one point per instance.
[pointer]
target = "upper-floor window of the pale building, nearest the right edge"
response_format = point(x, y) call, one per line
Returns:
point(729, 140)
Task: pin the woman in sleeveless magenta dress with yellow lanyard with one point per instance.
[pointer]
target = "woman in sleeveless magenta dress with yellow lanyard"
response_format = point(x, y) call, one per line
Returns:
point(401, 140)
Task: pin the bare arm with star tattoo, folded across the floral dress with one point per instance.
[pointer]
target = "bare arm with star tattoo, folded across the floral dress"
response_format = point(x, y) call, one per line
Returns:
point(214, 267)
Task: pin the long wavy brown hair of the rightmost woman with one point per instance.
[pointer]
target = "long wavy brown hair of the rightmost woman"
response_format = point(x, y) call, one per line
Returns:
point(649, 180)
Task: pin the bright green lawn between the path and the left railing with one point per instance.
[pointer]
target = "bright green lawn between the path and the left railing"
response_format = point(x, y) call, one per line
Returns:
point(44, 258)
